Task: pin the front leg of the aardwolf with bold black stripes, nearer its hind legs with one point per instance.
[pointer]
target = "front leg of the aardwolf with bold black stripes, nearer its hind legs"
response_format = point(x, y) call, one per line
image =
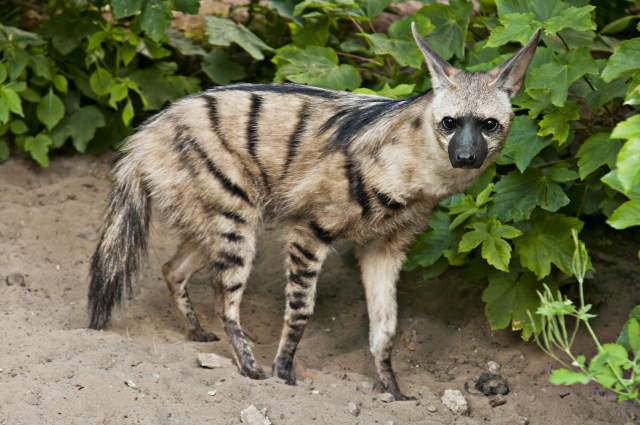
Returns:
point(304, 259)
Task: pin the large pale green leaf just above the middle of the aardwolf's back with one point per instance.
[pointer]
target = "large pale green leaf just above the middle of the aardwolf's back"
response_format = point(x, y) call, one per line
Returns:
point(317, 66)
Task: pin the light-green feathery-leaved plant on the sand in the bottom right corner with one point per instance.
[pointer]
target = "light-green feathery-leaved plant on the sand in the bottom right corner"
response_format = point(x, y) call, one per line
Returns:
point(615, 366)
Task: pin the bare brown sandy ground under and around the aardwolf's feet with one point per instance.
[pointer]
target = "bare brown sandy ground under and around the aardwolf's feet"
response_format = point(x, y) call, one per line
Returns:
point(55, 371)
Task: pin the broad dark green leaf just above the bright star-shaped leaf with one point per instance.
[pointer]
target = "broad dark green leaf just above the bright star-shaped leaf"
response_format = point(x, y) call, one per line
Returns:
point(518, 194)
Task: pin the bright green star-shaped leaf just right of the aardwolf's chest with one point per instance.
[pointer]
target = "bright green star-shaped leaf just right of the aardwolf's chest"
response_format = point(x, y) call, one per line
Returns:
point(491, 235)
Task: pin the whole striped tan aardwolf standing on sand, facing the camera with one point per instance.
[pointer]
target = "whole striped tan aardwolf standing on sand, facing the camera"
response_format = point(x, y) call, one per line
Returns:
point(328, 165)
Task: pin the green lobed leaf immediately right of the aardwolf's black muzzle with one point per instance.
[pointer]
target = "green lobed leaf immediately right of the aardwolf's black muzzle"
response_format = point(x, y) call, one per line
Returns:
point(523, 143)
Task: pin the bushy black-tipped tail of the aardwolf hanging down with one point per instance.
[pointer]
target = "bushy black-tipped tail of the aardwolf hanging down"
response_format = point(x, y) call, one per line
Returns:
point(122, 244)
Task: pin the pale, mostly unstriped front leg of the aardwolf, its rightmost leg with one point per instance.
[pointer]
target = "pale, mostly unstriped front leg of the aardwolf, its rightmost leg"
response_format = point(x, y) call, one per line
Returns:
point(380, 262)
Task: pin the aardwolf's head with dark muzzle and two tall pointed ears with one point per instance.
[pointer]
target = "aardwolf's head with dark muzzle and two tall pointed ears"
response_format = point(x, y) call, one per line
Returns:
point(470, 114)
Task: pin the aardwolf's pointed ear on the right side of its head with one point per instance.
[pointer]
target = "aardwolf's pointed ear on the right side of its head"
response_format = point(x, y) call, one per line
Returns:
point(510, 75)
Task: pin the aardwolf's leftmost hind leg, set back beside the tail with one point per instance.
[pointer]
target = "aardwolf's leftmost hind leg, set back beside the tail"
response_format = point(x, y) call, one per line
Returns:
point(187, 260)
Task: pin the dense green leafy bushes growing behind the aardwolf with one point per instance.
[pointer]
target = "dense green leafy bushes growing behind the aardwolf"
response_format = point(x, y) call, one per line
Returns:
point(85, 76)
